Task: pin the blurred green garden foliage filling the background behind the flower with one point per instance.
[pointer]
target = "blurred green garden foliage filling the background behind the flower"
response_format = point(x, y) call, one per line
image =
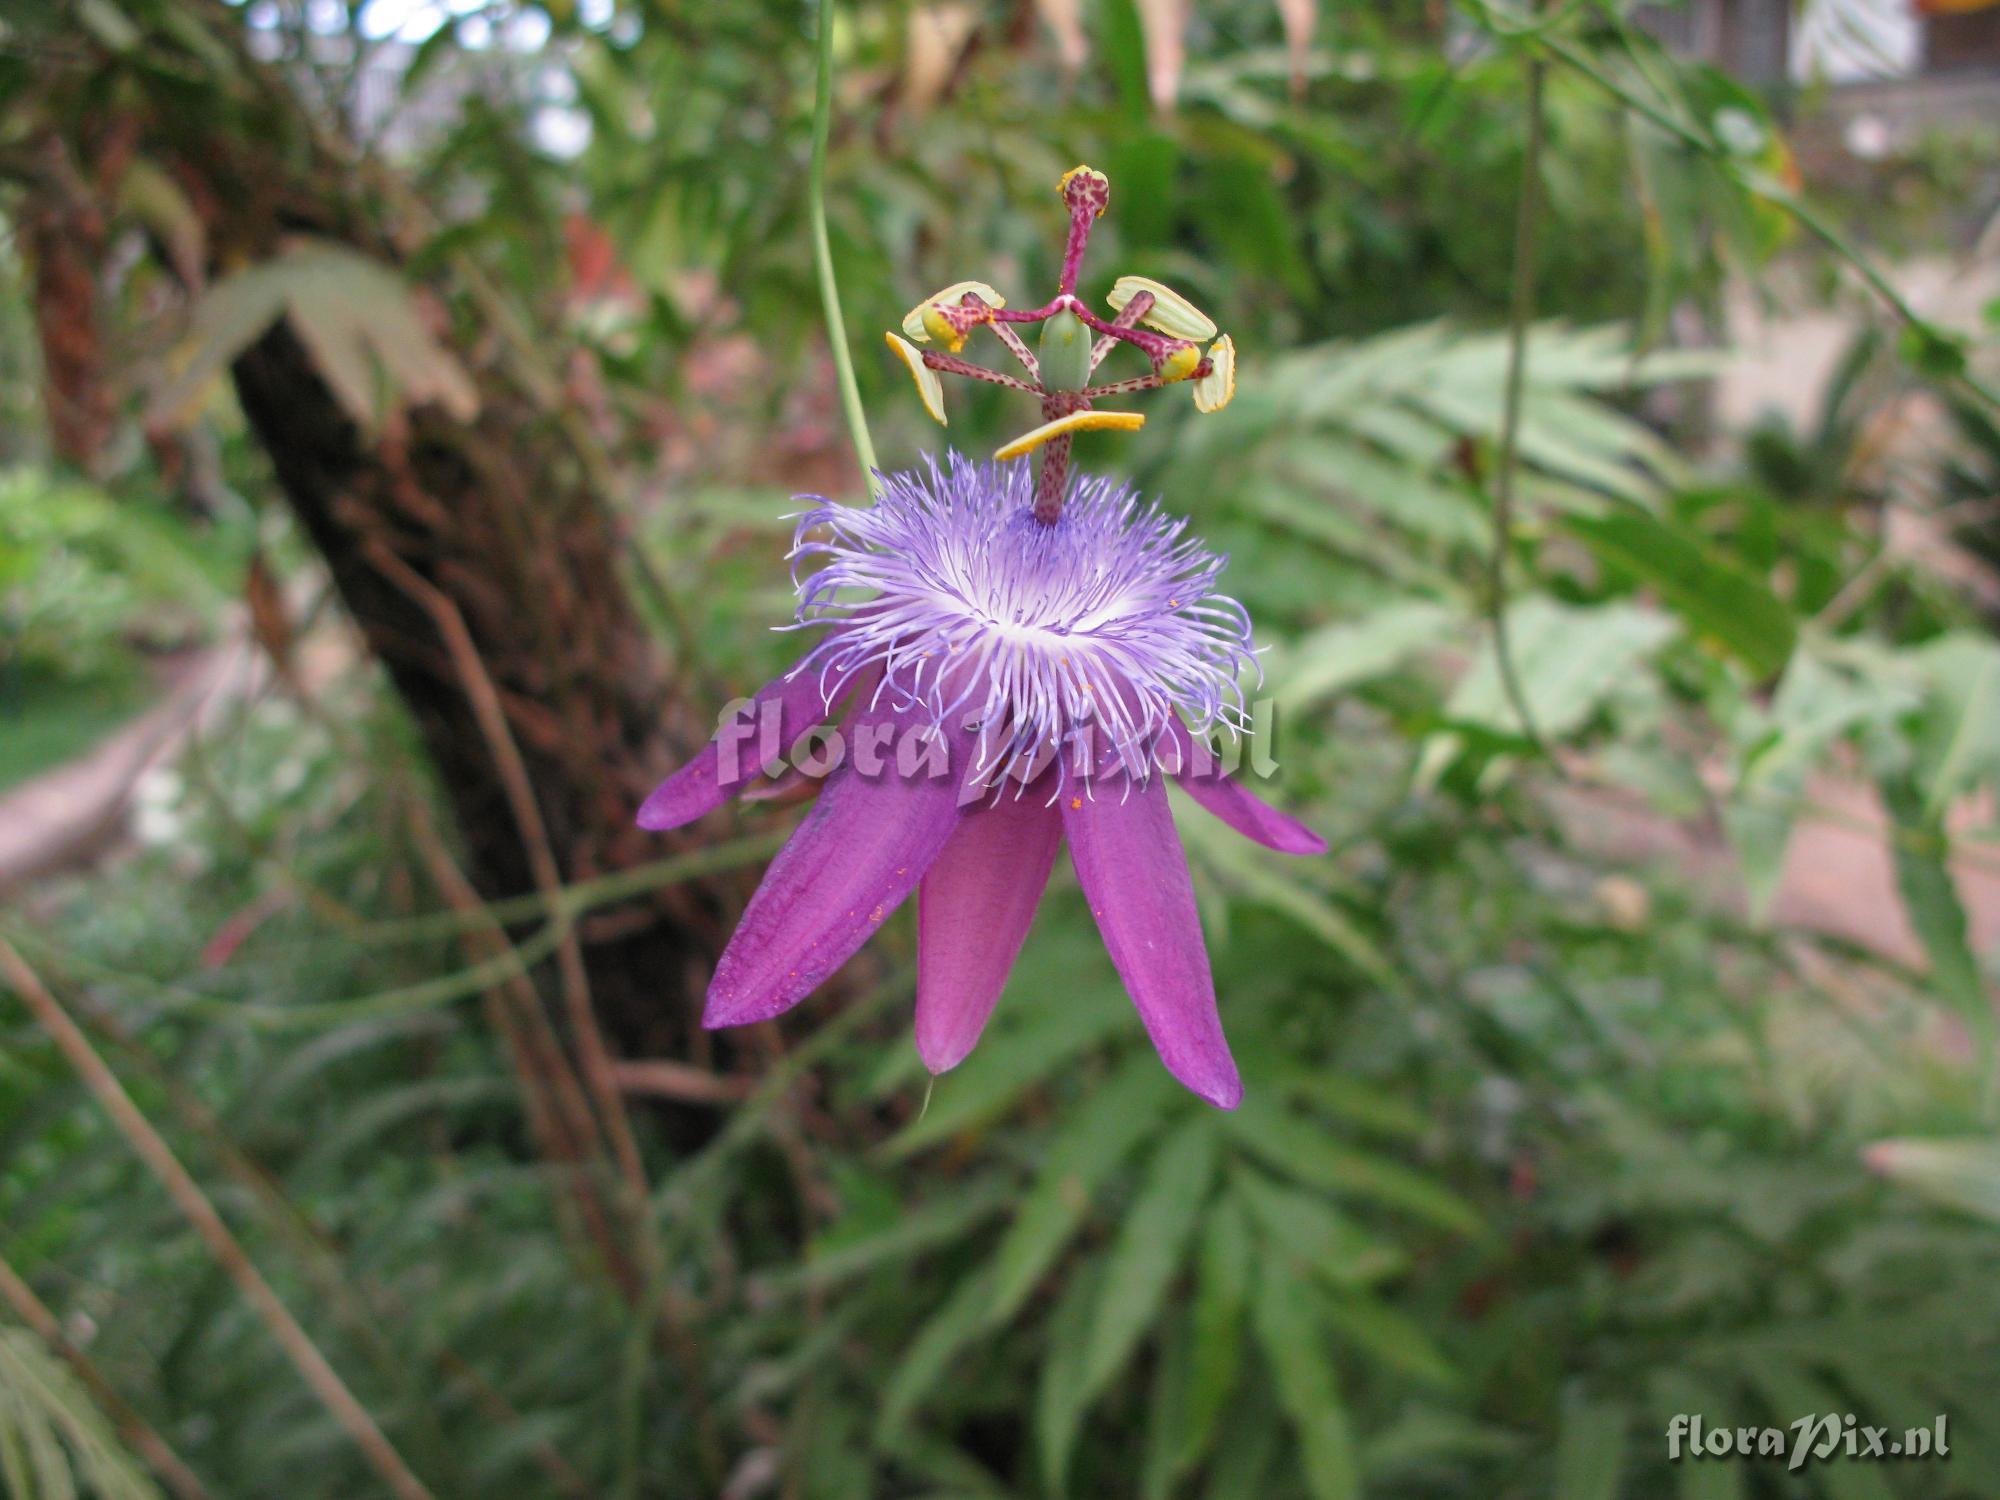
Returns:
point(1631, 1057)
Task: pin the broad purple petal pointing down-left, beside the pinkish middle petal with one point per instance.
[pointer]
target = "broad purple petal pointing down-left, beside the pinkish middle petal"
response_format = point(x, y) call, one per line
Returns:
point(853, 861)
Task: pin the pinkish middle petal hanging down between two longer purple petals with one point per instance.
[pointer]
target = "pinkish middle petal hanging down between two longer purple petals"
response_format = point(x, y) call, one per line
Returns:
point(973, 917)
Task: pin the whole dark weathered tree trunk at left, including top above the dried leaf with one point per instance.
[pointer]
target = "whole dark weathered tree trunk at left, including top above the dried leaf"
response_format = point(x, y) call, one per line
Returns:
point(493, 519)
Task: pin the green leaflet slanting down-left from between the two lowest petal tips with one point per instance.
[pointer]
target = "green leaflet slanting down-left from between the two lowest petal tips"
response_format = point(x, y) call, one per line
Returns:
point(1109, 1125)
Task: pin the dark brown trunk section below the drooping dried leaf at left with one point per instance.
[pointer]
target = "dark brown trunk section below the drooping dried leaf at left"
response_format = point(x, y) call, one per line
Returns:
point(493, 515)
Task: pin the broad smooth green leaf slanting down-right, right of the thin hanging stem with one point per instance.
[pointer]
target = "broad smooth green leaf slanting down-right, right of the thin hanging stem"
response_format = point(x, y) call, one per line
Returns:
point(1707, 591)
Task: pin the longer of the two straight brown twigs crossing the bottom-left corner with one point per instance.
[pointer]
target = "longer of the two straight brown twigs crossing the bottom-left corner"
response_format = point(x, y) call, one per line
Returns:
point(223, 1245)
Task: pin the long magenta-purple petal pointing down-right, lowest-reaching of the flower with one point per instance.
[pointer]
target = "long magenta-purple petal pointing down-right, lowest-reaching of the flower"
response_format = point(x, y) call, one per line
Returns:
point(1137, 881)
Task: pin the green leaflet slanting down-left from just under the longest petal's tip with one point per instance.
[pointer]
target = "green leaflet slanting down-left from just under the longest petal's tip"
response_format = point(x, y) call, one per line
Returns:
point(1151, 1247)
